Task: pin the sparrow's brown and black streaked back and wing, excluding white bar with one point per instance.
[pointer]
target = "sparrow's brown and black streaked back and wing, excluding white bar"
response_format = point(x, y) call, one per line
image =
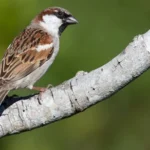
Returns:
point(23, 58)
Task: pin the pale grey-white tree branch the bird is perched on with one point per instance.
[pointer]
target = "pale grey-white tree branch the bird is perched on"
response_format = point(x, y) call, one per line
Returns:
point(77, 94)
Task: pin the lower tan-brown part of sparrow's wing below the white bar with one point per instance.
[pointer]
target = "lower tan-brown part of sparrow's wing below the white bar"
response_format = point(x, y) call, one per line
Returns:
point(25, 66)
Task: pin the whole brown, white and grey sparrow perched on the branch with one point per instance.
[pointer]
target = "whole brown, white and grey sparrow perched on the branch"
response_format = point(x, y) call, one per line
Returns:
point(33, 51)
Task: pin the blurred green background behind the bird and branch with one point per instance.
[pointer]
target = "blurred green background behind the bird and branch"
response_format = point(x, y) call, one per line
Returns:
point(121, 122)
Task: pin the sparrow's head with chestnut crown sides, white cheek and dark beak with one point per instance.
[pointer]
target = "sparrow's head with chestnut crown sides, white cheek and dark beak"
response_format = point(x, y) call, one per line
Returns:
point(54, 20)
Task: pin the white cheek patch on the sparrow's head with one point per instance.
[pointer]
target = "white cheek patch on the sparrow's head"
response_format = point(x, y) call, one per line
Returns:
point(51, 23)
